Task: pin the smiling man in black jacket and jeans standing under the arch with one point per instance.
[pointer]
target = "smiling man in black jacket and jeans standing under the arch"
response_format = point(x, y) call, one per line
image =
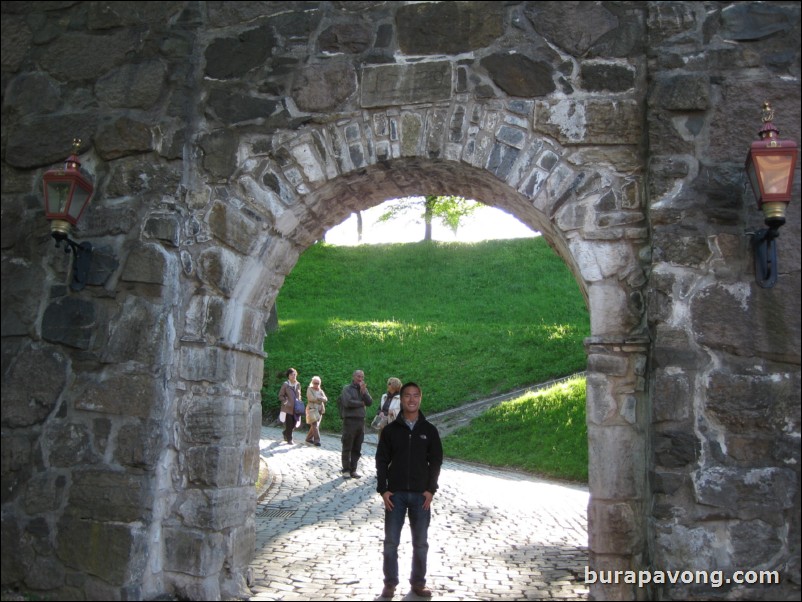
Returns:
point(408, 461)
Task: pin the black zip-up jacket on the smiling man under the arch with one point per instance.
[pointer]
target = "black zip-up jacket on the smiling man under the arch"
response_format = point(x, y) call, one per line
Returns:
point(409, 460)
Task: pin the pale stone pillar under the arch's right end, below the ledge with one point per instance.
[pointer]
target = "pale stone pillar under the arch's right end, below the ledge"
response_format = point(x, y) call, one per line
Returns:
point(617, 417)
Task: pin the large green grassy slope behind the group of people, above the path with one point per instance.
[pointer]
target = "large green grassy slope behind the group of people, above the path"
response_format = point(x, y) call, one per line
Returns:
point(464, 320)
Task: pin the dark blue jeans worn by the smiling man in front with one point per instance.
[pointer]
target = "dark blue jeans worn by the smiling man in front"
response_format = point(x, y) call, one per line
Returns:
point(404, 502)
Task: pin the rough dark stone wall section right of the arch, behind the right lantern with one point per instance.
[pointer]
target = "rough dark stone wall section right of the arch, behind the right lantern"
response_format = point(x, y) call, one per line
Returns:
point(725, 353)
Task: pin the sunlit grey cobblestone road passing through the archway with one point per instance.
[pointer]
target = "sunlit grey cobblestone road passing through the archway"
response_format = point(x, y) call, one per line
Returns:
point(495, 535)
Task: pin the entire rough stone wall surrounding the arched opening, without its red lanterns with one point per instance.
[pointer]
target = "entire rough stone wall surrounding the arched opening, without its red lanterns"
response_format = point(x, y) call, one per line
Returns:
point(225, 138)
